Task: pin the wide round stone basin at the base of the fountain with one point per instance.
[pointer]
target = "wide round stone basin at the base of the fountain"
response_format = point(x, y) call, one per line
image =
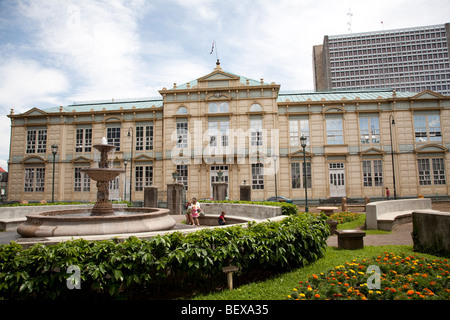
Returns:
point(66, 223)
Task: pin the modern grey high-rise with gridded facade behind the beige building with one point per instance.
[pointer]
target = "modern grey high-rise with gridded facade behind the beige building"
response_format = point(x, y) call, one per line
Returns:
point(411, 59)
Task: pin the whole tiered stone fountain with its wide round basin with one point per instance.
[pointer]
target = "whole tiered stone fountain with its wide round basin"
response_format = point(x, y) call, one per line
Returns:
point(103, 219)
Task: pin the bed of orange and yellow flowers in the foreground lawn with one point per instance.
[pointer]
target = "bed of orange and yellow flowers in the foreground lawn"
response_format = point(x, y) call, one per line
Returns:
point(401, 278)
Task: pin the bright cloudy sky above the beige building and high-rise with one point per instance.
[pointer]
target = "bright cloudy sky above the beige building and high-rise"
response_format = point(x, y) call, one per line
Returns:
point(56, 52)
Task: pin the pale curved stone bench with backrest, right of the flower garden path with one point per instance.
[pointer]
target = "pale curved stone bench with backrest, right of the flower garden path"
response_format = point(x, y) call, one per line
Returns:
point(384, 215)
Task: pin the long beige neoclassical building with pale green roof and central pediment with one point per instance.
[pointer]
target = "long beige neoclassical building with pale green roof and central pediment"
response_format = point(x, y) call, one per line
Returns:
point(357, 143)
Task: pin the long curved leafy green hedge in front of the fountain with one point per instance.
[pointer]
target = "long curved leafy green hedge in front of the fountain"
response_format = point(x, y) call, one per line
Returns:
point(113, 269)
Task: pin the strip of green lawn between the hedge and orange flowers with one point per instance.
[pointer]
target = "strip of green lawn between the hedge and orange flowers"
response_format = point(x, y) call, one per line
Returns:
point(278, 287)
